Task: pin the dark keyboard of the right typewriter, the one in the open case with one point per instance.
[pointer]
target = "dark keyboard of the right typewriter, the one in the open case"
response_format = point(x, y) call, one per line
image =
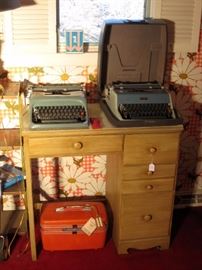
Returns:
point(145, 111)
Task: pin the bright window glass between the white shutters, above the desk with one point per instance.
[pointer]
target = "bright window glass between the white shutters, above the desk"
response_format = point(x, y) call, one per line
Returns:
point(88, 15)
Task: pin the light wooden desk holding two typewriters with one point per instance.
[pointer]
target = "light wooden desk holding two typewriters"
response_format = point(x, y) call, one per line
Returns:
point(141, 201)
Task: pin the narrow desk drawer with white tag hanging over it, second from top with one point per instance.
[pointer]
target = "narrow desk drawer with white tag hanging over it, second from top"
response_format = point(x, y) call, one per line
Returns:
point(141, 171)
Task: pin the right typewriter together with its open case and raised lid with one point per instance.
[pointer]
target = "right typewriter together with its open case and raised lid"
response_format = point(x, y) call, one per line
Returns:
point(131, 66)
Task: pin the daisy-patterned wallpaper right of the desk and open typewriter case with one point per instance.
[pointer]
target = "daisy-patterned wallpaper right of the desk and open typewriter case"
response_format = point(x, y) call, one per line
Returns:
point(184, 77)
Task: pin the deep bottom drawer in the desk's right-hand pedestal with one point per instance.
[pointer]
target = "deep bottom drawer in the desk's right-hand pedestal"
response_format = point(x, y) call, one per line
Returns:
point(145, 216)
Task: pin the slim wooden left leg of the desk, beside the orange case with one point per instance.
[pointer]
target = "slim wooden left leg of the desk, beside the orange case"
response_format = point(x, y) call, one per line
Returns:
point(30, 205)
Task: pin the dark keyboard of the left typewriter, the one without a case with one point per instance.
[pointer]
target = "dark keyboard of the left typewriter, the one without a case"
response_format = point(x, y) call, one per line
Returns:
point(58, 114)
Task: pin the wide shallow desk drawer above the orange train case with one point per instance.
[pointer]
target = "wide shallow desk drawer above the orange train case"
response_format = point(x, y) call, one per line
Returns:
point(79, 145)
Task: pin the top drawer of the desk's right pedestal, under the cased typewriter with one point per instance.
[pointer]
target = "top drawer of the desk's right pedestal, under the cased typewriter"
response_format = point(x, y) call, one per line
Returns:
point(142, 148)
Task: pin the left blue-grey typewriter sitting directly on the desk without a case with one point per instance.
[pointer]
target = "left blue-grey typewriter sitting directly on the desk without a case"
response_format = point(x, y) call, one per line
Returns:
point(57, 106)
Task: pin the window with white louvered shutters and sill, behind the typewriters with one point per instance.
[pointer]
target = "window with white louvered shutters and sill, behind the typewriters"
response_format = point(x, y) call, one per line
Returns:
point(30, 38)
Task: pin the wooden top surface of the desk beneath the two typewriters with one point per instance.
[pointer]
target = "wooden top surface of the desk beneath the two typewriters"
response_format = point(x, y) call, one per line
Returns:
point(106, 127)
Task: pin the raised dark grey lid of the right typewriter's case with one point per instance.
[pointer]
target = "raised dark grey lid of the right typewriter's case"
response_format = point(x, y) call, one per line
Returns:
point(132, 51)
